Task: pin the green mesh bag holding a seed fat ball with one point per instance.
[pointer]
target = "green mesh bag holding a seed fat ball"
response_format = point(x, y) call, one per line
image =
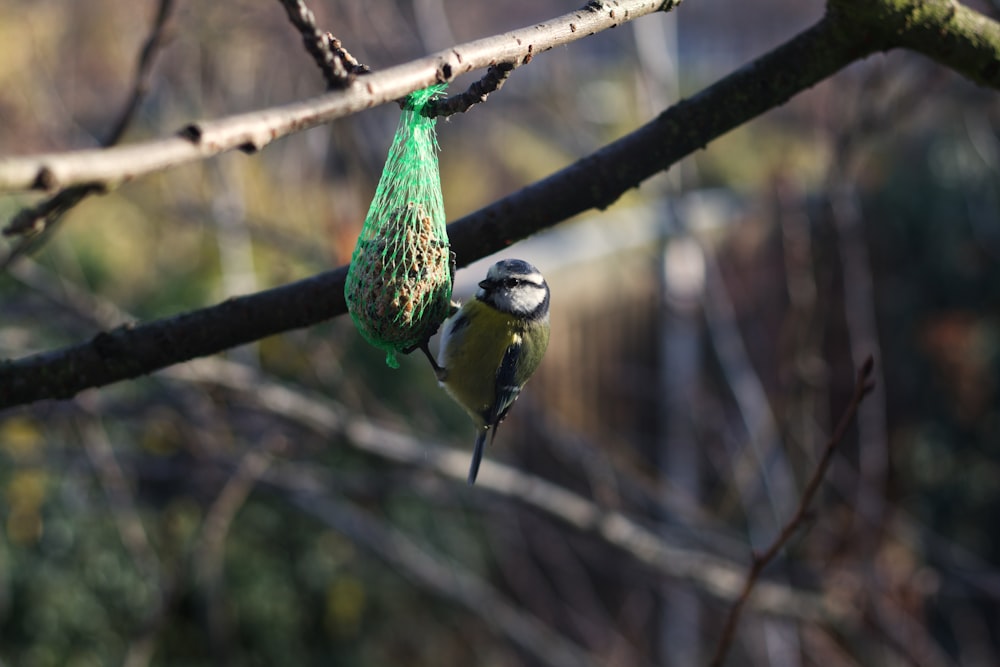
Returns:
point(399, 284)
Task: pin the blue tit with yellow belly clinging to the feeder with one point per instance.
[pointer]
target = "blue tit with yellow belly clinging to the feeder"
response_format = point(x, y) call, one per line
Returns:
point(493, 344)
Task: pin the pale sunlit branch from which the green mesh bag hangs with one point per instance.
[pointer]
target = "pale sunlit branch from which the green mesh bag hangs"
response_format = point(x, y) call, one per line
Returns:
point(253, 131)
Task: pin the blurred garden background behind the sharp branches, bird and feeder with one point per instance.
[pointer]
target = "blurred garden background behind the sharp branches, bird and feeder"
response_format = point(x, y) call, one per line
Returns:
point(282, 503)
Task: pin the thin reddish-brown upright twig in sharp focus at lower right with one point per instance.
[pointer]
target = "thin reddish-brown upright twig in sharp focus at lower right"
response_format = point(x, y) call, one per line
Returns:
point(862, 386)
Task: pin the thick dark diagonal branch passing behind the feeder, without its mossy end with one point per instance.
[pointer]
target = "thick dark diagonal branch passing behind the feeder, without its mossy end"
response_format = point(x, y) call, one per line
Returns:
point(595, 181)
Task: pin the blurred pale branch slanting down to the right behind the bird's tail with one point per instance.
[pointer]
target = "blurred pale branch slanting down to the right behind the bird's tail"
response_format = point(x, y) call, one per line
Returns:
point(714, 575)
